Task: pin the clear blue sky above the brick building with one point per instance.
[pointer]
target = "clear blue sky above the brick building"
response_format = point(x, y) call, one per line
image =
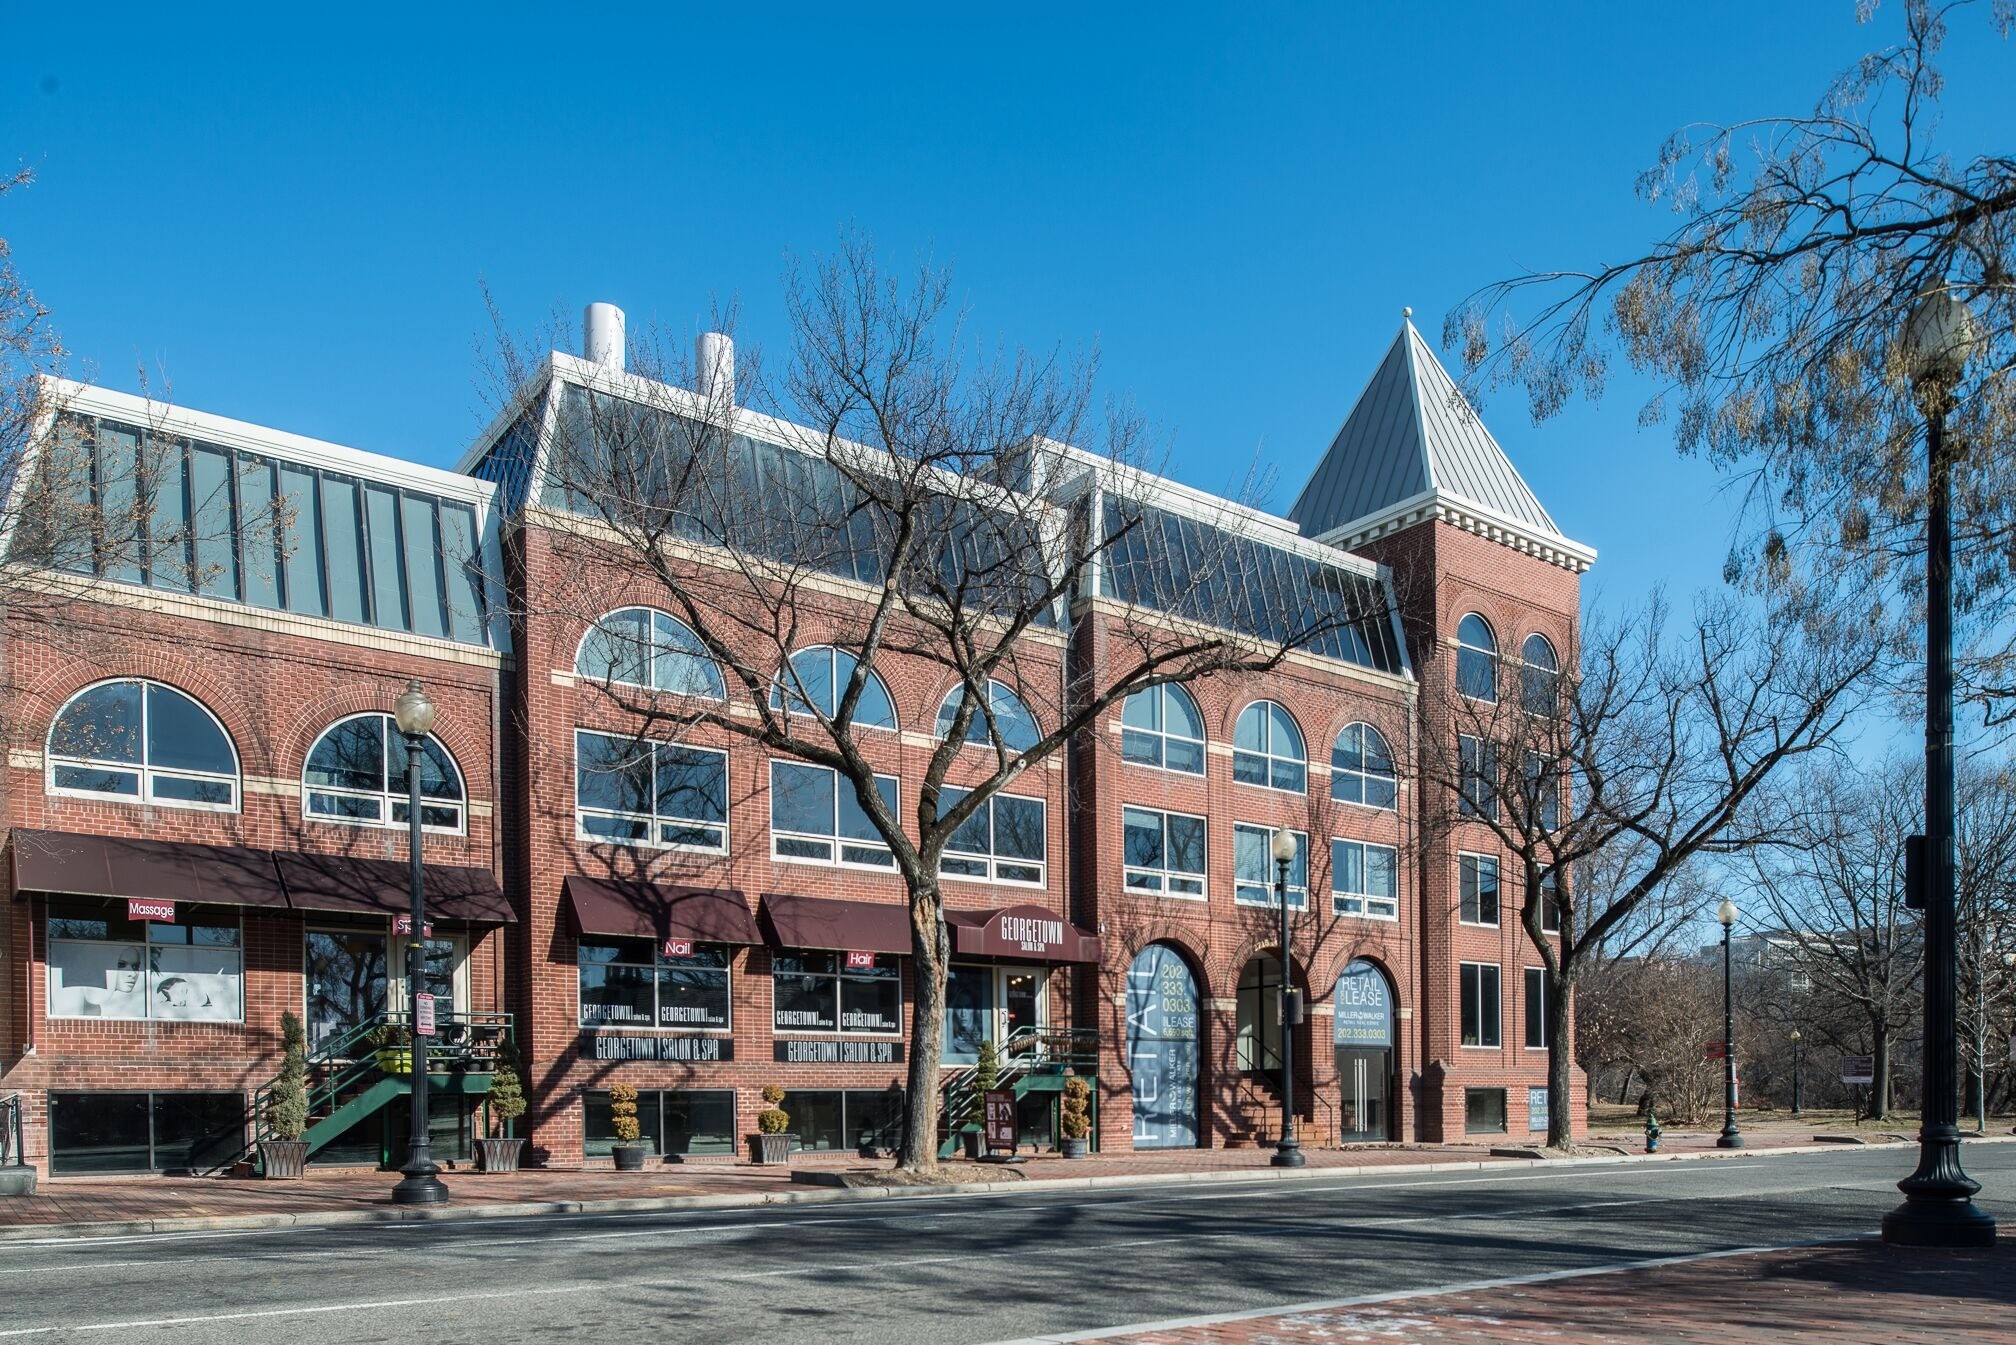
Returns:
point(287, 215)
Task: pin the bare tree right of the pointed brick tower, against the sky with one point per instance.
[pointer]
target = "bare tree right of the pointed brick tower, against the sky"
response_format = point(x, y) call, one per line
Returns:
point(1654, 755)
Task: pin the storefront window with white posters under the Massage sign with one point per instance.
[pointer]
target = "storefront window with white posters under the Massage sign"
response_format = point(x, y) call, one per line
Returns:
point(108, 967)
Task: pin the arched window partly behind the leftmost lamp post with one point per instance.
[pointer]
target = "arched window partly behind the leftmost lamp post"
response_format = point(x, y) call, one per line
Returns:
point(358, 775)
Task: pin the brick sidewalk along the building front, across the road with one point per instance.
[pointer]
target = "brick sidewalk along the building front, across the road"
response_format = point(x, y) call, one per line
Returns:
point(66, 1207)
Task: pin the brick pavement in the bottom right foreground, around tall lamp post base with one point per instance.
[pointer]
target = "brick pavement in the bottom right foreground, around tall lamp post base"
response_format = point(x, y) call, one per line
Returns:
point(1860, 1294)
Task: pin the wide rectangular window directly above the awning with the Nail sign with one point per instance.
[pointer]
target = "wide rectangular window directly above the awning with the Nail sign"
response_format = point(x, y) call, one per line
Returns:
point(650, 793)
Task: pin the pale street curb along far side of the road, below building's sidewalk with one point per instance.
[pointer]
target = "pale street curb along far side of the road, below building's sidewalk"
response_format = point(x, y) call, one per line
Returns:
point(822, 1195)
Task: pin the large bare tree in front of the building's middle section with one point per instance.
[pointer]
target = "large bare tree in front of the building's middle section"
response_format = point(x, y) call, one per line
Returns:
point(924, 511)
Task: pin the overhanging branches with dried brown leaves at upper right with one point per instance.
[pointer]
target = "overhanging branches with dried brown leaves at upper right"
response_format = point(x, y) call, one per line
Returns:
point(1769, 322)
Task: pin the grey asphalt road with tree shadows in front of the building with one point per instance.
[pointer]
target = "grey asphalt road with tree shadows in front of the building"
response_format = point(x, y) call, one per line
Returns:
point(938, 1269)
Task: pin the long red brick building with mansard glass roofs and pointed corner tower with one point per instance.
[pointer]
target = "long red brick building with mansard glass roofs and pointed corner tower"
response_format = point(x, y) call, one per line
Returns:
point(695, 916)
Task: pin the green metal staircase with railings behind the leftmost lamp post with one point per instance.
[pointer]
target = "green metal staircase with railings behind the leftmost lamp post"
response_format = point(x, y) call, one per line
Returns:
point(352, 1076)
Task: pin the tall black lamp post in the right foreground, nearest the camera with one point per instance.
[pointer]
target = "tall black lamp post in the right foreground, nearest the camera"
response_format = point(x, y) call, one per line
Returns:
point(1938, 1199)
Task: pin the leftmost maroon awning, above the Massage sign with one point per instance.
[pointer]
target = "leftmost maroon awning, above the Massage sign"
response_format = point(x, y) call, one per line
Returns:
point(74, 864)
